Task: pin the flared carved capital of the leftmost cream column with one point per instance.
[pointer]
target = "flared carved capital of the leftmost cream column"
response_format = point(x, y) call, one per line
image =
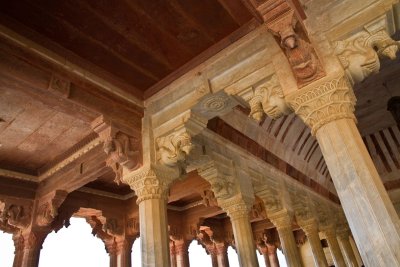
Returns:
point(152, 182)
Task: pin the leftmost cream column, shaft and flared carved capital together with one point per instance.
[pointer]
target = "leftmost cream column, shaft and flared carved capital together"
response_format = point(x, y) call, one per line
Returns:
point(151, 186)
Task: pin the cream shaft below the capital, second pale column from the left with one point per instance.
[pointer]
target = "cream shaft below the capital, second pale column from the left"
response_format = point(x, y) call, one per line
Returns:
point(244, 241)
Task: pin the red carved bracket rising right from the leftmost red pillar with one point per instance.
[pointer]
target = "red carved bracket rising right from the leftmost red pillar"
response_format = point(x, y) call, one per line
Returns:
point(47, 209)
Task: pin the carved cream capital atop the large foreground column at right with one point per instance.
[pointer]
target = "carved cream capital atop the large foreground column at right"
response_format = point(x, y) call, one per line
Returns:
point(322, 102)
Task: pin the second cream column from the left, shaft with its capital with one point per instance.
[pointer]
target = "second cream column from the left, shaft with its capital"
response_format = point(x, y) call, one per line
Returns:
point(238, 211)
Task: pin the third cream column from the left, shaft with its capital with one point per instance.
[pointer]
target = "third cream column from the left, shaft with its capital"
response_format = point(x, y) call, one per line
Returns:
point(283, 223)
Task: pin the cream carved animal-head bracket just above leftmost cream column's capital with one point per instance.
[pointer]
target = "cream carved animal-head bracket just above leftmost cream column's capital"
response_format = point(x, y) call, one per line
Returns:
point(173, 148)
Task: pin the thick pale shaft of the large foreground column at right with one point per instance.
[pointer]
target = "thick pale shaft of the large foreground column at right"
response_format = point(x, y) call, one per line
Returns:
point(369, 211)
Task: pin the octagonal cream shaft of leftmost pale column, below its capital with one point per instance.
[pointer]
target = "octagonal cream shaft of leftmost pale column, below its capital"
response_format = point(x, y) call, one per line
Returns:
point(154, 232)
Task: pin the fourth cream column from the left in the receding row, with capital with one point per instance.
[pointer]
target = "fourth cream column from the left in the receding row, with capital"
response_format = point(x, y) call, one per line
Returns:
point(311, 231)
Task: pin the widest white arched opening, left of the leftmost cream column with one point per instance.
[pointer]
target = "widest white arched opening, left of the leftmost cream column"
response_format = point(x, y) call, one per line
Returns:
point(73, 246)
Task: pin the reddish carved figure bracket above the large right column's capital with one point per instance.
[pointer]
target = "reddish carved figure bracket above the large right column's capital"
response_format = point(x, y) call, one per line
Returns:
point(300, 53)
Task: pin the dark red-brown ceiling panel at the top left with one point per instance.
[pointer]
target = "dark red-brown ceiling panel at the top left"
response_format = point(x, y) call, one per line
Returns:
point(140, 42)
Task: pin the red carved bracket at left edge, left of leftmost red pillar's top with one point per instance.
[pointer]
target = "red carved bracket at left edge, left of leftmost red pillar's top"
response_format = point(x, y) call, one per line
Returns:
point(13, 215)
